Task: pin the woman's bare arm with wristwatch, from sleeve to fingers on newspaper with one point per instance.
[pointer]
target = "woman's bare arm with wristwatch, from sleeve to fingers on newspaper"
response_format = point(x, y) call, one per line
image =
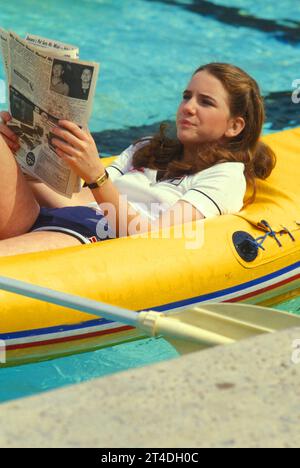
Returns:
point(77, 148)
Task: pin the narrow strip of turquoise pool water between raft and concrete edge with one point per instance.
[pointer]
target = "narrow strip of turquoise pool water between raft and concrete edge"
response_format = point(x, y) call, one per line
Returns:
point(30, 379)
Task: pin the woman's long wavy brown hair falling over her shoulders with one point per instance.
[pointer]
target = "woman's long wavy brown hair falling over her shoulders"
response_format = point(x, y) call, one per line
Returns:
point(165, 154)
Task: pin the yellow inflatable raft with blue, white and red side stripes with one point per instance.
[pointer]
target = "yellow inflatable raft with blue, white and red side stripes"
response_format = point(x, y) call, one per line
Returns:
point(252, 257)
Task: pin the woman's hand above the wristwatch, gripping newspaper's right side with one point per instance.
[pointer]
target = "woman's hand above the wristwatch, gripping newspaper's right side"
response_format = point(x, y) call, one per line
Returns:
point(77, 148)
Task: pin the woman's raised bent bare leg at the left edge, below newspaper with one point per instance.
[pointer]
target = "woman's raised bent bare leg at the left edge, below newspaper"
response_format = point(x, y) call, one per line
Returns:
point(18, 207)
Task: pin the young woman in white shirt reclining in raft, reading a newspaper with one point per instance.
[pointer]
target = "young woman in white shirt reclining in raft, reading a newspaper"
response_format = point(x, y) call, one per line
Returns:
point(201, 174)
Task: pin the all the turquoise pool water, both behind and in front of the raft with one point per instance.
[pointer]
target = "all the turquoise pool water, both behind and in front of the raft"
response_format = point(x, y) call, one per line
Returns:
point(148, 50)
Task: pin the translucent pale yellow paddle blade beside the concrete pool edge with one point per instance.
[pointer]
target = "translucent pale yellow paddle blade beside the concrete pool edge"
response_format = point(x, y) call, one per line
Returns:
point(209, 325)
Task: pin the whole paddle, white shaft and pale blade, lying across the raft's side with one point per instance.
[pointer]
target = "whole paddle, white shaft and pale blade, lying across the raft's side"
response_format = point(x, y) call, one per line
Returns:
point(189, 329)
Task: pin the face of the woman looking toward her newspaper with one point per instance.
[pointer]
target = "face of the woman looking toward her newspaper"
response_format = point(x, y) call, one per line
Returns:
point(204, 113)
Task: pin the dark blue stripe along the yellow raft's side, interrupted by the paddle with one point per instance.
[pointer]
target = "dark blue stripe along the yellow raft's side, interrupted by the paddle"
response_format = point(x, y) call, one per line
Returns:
point(173, 305)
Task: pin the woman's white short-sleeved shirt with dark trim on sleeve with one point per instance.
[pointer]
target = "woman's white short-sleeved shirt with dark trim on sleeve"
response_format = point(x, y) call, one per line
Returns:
point(217, 190)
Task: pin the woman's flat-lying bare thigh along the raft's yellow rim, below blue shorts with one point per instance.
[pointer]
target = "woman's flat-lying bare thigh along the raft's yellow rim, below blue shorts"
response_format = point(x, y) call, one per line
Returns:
point(36, 242)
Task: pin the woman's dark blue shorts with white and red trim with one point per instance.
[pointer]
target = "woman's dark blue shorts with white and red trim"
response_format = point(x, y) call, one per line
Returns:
point(86, 224)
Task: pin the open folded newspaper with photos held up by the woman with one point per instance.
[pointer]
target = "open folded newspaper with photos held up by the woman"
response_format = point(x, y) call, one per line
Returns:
point(46, 82)
